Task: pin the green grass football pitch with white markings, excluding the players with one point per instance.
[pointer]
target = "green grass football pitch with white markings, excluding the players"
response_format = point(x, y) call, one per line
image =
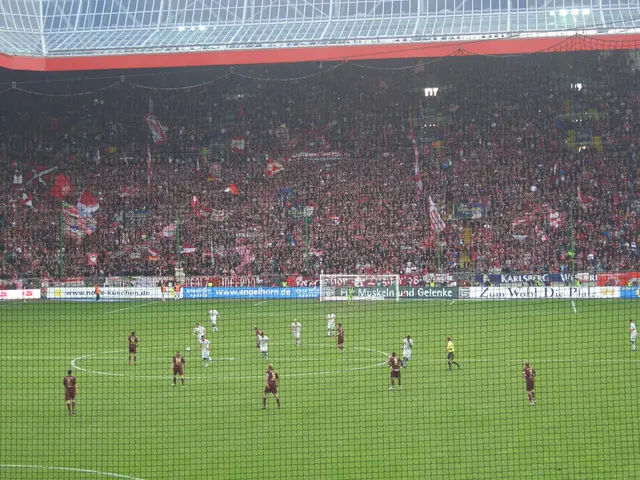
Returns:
point(338, 420)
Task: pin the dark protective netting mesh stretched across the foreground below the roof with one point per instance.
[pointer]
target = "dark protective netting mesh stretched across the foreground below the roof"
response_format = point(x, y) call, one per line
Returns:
point(502, 192)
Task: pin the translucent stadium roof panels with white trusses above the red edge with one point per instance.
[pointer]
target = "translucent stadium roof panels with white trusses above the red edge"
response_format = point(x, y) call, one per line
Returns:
point(71, 28)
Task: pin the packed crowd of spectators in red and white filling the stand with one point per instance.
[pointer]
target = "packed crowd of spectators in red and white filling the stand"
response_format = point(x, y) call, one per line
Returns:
point(498, 134)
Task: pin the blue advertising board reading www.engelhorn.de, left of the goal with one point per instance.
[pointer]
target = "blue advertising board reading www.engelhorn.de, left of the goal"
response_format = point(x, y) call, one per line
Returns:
point(252, 292)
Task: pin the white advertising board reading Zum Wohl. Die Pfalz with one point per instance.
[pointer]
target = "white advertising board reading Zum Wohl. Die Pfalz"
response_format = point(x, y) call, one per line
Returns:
point(524, 293)
